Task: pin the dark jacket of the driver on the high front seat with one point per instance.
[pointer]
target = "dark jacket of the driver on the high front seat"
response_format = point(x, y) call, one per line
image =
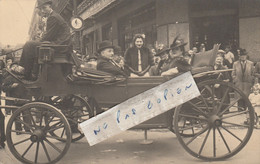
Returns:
point(57, 30)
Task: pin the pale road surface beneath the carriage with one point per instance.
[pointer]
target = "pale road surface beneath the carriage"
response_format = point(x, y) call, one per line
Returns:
point(126, 149)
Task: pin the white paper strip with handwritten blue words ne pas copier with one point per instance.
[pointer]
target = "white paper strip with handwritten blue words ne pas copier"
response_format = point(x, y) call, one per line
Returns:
point(140, 108)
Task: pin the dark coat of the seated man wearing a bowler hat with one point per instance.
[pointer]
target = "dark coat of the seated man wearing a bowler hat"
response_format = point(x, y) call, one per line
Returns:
point(106, 65)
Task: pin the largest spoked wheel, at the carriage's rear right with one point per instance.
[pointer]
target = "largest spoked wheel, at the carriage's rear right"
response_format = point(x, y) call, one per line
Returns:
point(220, 127)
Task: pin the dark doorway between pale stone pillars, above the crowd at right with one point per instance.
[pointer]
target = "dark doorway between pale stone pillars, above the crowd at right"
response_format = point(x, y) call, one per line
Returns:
point(215, 29)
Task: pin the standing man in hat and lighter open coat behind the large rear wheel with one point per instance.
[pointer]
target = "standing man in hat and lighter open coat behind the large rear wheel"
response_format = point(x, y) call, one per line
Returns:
point(243, 76)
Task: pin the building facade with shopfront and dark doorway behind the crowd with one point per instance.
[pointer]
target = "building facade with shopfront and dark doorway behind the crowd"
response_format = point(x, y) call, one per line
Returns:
point(232, 22)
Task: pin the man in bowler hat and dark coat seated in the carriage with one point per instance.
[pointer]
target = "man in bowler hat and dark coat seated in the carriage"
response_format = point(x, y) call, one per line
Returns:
point(105, 60)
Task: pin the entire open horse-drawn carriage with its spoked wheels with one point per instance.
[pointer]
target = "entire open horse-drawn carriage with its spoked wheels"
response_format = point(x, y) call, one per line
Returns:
point(210, 127)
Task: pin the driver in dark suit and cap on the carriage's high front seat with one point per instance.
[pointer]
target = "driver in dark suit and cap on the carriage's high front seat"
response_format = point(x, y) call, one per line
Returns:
point(57, 32)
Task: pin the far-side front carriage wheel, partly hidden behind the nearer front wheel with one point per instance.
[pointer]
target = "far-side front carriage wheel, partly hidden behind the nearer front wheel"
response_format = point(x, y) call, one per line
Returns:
point(76, 109)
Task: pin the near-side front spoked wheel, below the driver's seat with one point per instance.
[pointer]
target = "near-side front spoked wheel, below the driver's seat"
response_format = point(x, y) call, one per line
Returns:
point(35, 144)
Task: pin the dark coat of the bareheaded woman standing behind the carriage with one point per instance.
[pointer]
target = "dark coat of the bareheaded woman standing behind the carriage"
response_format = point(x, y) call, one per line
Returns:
point(131, 58)
